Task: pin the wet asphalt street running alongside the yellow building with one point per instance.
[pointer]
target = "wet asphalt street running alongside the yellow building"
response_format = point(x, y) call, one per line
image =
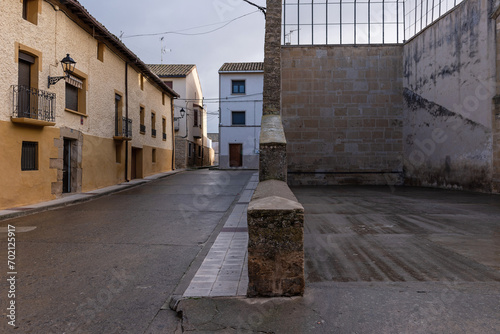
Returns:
point(109, 265)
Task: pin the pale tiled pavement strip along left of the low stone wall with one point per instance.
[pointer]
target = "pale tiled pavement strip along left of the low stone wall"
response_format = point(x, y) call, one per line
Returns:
point(224, 272)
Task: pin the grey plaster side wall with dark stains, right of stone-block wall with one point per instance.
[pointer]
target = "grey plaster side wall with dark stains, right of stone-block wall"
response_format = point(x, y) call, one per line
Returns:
point(449, 72)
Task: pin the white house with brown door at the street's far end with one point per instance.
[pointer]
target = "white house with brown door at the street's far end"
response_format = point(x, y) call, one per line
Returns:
point(240, 94)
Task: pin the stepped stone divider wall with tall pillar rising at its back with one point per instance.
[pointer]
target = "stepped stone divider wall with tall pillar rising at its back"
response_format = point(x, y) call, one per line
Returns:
point(275, 218)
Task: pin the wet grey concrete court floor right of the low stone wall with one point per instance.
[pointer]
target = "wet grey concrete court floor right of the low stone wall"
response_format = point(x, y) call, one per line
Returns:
point(380, 260)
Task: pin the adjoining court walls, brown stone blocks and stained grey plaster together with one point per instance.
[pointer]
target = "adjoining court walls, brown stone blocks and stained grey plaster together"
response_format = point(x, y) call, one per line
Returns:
point(424, 112)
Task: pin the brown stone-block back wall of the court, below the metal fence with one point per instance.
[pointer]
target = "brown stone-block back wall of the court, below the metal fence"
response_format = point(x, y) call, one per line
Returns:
point(342, 114)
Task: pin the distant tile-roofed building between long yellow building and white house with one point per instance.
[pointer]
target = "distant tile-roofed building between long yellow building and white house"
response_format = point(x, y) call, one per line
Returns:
point(192, 147)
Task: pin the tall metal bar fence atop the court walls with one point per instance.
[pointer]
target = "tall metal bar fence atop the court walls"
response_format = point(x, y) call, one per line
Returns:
point(327, 22)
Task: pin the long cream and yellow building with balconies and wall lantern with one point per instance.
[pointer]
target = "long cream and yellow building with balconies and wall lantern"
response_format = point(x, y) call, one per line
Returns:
point(108, 121)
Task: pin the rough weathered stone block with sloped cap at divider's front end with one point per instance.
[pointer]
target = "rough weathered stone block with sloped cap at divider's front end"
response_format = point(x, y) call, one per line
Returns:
point(276, 242)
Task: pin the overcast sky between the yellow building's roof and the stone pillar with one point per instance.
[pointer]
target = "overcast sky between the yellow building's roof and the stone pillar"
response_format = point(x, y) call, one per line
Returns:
point(239, 41)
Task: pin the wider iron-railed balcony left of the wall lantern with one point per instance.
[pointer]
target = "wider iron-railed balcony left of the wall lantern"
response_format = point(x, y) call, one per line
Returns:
point(32, 106)
